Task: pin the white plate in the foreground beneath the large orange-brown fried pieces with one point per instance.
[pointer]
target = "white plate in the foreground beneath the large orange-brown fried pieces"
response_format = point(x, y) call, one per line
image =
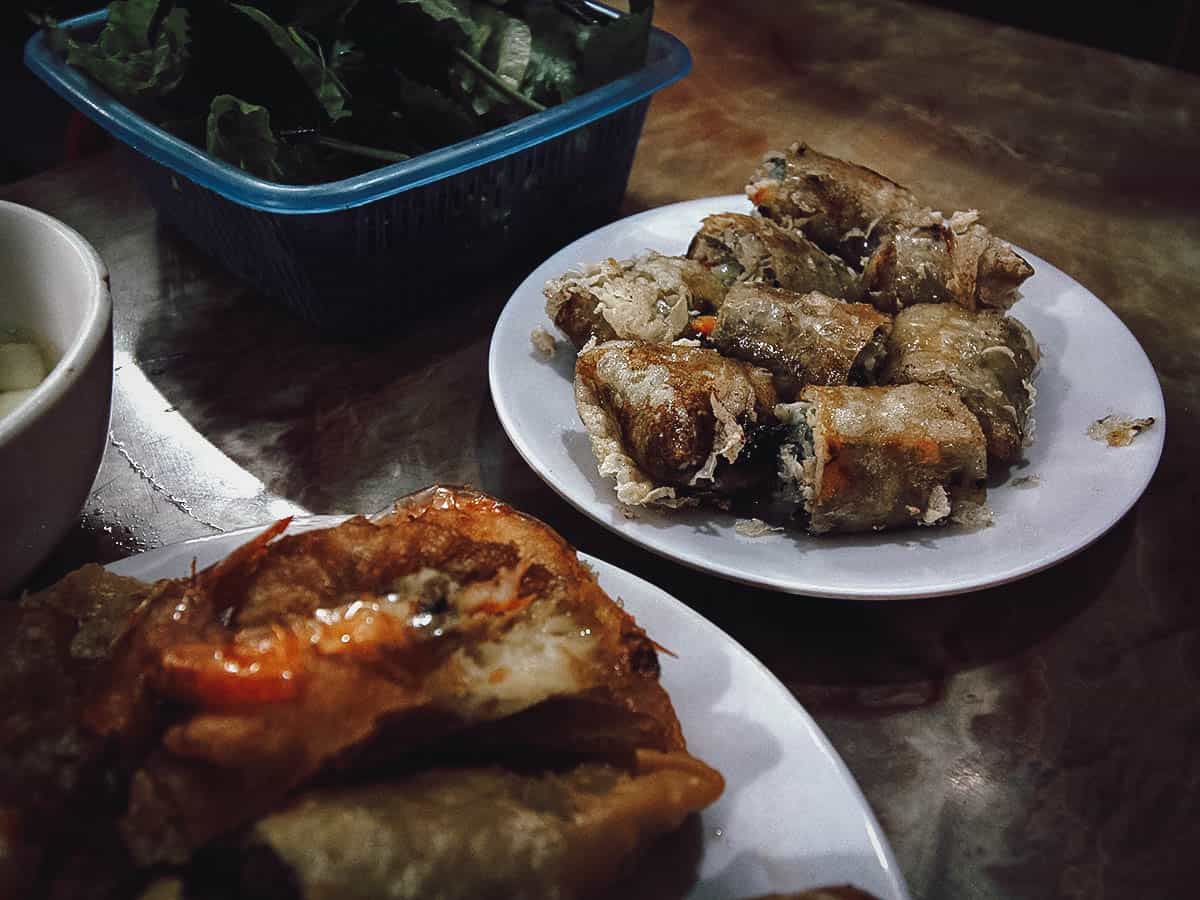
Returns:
point(791, 817)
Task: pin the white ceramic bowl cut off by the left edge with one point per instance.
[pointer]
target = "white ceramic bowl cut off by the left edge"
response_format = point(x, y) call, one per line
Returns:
point(55, 287)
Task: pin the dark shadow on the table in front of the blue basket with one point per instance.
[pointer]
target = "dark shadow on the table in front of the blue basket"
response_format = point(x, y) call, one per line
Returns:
point(329, 424)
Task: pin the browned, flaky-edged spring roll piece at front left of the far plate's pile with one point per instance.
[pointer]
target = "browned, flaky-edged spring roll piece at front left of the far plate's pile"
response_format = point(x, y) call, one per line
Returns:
point(673, 423)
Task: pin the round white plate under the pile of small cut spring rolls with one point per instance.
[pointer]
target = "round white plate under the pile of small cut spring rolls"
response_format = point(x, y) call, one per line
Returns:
point(1091, 367)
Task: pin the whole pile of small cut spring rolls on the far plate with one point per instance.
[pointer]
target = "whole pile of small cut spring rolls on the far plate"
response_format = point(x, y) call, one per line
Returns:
point(895, 371)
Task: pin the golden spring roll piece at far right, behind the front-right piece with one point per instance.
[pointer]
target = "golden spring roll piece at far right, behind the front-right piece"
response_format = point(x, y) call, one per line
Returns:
point(988, 357)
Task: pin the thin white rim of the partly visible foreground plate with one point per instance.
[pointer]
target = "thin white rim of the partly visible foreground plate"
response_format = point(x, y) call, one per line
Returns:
point(885, 855)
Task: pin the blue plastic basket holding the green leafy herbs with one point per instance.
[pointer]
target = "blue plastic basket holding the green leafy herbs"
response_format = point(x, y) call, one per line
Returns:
point(362, 254)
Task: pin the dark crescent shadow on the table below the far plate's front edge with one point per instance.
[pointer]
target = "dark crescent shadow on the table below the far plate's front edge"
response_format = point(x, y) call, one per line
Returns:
point(879, 657)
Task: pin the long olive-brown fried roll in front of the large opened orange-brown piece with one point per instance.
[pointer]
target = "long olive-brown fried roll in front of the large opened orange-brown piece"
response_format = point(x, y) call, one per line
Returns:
point(475, 833)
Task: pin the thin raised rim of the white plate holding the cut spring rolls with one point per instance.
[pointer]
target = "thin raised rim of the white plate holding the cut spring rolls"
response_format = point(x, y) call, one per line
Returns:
point(795, 587)
